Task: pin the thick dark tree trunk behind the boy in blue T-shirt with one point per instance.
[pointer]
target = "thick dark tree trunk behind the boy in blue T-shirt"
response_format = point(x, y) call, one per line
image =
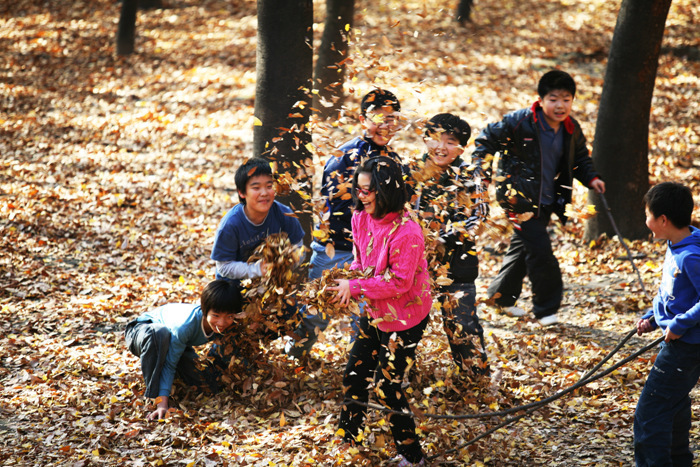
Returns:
point(282, 102)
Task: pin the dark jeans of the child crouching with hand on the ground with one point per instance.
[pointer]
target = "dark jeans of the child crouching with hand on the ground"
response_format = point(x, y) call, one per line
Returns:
point(150, 342)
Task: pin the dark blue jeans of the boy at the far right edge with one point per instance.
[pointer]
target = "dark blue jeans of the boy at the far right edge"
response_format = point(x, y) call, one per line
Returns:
point(662, 417)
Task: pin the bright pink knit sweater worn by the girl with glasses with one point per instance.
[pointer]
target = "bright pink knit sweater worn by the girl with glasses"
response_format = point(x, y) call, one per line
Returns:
point(399, 292)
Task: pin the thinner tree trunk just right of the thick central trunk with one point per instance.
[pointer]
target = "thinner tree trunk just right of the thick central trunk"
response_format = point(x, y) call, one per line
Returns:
point(329, 73)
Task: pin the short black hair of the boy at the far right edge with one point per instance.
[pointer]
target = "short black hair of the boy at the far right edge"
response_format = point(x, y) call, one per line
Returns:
point(673, 200)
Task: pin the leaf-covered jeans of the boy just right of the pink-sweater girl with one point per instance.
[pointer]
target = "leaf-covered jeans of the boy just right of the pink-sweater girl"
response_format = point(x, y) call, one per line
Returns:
point(462, 327)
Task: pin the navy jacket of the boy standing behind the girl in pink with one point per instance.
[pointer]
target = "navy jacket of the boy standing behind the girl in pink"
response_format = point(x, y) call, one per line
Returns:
point(336, 186)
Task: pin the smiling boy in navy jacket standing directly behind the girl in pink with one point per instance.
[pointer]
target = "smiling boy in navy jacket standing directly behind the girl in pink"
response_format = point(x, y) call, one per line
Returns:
point(379, 121)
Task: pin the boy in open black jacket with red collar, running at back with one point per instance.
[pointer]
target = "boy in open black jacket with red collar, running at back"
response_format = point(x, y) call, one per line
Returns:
point(541, 150)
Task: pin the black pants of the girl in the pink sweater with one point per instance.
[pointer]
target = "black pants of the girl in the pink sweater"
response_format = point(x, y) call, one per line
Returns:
point(375, 351)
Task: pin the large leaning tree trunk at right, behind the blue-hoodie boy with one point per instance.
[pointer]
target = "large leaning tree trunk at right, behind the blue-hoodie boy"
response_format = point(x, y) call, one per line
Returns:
point(621, 145)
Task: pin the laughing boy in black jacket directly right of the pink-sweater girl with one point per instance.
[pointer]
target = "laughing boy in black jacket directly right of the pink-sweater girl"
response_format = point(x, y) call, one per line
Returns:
point(446, 135)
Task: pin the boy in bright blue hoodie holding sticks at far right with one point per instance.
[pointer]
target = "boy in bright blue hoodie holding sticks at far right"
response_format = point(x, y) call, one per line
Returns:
point(662, 417)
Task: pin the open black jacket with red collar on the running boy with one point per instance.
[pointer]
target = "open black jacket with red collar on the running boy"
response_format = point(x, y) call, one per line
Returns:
point(518, 177)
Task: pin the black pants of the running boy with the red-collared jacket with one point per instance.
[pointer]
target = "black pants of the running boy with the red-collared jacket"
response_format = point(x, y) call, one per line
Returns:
point(530, 253)
